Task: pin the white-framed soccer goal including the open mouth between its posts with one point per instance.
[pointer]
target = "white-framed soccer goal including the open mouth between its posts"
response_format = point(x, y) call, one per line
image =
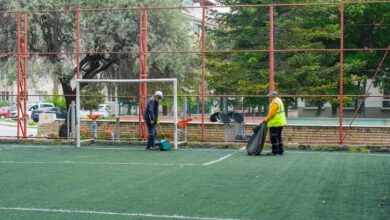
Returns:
point(109, 109)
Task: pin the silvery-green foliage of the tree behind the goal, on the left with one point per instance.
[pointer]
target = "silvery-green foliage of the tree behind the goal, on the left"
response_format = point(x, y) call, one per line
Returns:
point(103, 31)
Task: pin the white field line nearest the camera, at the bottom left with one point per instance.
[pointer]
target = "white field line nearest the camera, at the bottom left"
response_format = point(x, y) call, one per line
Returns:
point(110, 213)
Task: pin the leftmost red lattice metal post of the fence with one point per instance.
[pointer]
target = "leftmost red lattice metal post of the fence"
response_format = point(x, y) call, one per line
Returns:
point(22, 76)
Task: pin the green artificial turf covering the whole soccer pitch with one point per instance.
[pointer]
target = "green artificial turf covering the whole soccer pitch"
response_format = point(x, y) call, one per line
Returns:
point(120, 183)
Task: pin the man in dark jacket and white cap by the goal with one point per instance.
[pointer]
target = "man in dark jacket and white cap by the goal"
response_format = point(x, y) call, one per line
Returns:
point(151, 118)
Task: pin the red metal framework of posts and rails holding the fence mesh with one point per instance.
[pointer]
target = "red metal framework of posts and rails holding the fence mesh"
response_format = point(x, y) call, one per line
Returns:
point(22, 58)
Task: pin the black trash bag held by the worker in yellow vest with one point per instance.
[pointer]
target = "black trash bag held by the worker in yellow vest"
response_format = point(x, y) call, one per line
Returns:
point(256, 142)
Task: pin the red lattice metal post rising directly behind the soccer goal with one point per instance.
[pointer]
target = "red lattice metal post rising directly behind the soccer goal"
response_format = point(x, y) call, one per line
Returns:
point(143, 68)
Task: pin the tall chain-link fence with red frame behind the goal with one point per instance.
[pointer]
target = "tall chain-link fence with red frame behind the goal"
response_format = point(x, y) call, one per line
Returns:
point(328, 62)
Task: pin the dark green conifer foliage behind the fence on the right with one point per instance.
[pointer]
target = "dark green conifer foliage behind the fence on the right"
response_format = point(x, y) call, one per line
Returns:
point(298, 27)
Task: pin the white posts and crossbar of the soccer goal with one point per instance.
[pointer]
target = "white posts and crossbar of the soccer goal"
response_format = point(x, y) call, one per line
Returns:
point(172, 80)
